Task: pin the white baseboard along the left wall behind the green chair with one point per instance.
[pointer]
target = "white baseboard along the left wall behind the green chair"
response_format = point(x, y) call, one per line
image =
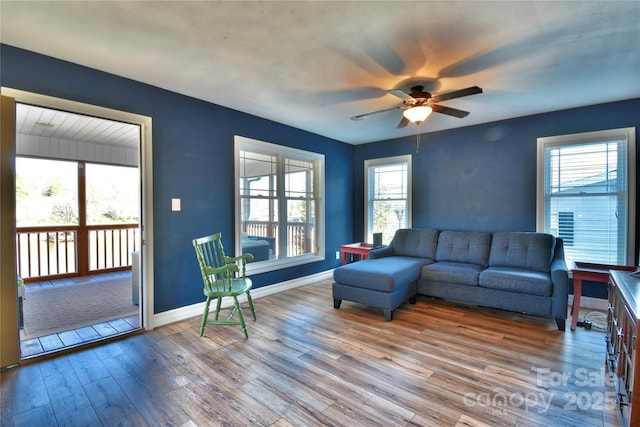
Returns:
point(187, 312)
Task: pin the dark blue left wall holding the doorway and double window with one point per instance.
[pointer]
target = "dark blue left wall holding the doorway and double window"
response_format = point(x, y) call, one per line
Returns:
point(193, 161)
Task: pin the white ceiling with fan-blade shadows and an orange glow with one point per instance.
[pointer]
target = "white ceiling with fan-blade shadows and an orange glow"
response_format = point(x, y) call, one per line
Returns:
point(313, 65)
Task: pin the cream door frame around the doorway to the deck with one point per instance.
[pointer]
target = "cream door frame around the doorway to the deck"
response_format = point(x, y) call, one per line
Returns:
point(145, 161)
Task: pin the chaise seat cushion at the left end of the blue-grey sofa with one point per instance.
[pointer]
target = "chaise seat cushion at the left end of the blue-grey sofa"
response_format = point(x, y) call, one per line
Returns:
point(384, 274)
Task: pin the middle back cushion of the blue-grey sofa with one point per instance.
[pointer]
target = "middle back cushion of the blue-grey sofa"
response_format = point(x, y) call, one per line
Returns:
point(471, 247)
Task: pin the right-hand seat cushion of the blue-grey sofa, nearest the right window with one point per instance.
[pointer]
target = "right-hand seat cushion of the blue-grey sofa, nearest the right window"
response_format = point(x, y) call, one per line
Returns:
point(517, 280)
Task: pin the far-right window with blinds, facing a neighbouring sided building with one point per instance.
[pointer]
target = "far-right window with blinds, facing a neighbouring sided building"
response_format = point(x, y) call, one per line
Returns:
point(586, 194)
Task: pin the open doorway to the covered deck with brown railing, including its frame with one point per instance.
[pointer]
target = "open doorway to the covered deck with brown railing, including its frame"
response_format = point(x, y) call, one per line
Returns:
point(93, 238)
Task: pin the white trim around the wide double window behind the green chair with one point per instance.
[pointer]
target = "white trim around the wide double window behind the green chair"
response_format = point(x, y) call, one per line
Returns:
point(241, 142)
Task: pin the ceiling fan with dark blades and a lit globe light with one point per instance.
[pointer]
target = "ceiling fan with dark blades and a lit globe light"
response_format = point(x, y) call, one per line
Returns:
point(418, 104)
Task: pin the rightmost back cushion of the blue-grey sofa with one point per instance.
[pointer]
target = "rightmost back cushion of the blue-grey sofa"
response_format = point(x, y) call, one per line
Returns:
point(529, 251)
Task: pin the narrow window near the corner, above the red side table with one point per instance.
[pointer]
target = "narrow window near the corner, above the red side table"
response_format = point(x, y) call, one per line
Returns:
point(388, 191)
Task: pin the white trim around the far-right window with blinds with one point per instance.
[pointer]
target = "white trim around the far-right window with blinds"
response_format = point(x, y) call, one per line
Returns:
point(629, 134)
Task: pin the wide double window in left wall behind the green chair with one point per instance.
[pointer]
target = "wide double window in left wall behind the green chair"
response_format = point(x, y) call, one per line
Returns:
point(279, 204)
